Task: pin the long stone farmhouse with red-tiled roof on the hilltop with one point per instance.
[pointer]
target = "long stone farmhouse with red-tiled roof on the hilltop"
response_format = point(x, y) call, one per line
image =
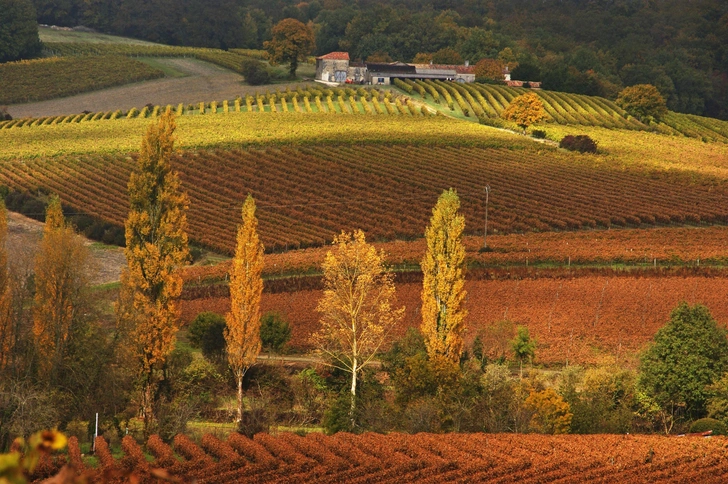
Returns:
point(336, 68)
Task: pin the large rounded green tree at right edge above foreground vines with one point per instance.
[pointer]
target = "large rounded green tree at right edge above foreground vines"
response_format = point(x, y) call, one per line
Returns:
point(687, 355)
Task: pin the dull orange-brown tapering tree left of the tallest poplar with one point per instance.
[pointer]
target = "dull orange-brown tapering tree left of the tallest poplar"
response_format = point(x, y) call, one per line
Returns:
point(61, 275)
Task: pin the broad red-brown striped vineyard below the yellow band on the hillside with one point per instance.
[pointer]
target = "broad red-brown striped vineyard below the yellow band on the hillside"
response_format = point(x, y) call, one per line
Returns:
point(306, 195)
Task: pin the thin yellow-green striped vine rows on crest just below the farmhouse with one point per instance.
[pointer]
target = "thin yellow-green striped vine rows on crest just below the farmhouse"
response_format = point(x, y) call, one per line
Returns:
point(310, 100)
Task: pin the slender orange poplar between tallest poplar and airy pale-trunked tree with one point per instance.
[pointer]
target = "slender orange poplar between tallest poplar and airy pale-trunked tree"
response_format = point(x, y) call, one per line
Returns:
point(242, 334)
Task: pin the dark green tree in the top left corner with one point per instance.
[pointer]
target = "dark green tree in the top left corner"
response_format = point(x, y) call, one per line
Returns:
point(18, 31)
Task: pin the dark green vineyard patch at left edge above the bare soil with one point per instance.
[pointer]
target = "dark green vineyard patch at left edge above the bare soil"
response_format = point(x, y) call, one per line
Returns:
point(49, 78)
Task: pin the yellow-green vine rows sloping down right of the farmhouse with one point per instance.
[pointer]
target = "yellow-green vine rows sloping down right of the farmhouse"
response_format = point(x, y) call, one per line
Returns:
point(487, 101)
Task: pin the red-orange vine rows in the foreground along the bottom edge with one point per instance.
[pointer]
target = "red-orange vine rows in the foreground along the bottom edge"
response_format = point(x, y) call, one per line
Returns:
point(399, 458)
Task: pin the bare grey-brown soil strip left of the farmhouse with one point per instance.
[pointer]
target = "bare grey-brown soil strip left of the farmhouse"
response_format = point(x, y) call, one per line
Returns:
point(204, 82)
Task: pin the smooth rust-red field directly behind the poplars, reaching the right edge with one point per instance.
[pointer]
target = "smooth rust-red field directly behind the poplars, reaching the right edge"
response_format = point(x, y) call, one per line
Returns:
point(581, 320)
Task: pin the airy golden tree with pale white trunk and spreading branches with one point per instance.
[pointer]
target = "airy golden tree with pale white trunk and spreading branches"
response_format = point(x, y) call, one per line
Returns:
point(356, 309)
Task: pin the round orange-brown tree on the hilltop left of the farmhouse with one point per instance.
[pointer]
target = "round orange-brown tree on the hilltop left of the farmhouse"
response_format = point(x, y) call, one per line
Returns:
point(292, 42)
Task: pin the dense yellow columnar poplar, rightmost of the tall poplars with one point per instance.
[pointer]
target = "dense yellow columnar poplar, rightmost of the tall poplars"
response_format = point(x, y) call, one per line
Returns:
point(443, 291)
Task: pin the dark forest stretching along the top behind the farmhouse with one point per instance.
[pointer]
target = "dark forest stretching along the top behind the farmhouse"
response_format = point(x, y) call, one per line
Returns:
point(595, 48)
